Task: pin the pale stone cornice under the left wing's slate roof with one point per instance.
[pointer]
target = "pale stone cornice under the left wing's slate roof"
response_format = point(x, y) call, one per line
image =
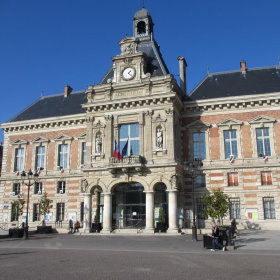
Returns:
point(46, 123)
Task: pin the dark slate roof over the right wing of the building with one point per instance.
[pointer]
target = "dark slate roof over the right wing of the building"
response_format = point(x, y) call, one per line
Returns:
point(254, 81)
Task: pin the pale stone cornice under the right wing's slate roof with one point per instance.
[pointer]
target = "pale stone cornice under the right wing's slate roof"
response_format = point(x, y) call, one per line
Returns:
point(235, 103)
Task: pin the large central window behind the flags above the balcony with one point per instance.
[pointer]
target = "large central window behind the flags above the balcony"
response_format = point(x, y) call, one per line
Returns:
point(129, 133)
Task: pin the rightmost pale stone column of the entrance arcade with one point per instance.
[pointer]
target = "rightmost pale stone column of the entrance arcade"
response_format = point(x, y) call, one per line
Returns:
point(172, 211)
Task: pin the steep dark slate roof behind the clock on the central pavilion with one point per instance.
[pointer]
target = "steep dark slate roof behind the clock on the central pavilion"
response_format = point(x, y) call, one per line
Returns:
point(155, 64)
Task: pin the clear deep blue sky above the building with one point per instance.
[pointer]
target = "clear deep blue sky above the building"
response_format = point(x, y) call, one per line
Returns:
point(47, 44)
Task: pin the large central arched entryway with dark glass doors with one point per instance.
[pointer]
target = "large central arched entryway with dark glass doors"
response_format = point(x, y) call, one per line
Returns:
point(128, 206)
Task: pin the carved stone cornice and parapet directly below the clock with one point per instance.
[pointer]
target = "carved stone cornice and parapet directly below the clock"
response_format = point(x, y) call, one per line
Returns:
point(150, 91)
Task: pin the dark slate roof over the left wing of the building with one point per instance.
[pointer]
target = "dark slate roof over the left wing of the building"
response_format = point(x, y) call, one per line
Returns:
point(53, 106)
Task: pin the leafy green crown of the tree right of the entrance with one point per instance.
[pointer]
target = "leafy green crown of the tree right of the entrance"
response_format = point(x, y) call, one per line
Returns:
point(216, 205)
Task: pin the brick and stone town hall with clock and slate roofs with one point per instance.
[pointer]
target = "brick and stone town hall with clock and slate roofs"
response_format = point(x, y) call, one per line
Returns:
point(136, 150)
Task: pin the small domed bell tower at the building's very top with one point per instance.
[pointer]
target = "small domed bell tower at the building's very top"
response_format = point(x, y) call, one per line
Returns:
point(143, 25)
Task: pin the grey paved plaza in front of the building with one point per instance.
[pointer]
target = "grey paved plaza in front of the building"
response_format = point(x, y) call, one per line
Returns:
point(138, 257)
